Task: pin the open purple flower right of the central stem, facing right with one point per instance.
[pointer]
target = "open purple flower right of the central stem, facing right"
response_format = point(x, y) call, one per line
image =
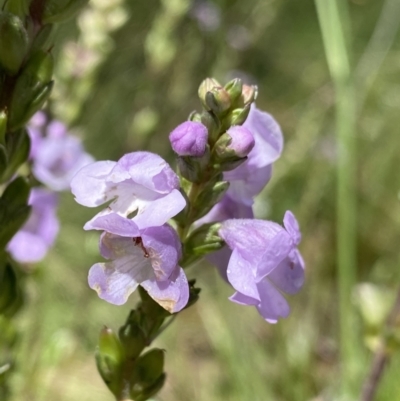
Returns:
point(264, 263)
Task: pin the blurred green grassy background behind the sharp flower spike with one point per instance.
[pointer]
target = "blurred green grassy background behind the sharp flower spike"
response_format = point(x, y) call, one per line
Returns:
point(127, 74)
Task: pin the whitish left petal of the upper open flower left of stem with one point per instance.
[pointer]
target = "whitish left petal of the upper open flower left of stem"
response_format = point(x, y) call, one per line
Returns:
point(89, 186)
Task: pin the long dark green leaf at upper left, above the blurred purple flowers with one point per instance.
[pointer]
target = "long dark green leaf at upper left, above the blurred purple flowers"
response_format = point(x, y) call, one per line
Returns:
point(32, 89)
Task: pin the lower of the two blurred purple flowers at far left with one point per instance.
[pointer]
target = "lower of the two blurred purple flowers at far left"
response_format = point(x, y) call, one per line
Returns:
point(31, 243)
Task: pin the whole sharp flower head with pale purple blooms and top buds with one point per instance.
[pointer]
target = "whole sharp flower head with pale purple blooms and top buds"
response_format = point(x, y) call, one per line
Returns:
point(225, 156)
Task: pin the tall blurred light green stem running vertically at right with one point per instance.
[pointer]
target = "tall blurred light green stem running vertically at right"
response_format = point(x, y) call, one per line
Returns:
point(333, 33)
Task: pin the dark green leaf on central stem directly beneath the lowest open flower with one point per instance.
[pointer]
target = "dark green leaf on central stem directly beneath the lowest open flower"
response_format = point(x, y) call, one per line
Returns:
point(132, 336)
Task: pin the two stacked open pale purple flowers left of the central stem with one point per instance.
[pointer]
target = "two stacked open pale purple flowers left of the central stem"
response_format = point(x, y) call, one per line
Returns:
point(142, 249)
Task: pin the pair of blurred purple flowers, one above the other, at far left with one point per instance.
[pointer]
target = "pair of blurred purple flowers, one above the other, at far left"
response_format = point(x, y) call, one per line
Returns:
point(55, 157)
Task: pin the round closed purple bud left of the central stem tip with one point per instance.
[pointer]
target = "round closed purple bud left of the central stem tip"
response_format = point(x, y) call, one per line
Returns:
point(189, 139)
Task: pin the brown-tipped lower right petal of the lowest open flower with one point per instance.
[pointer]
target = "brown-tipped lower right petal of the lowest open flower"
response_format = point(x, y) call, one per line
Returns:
point(172, 294)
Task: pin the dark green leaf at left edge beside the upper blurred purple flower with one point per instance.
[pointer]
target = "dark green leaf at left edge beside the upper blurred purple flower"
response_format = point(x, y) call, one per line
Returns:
point(17, 149)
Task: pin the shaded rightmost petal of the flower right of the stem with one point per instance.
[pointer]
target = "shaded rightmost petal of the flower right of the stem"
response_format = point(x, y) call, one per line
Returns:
point(289, 275)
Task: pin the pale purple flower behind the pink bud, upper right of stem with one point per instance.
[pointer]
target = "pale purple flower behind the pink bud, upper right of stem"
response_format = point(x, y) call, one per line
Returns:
point(247, 180)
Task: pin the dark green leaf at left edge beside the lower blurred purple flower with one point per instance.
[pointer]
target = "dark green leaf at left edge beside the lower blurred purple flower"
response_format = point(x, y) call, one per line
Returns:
point(14, 210)
